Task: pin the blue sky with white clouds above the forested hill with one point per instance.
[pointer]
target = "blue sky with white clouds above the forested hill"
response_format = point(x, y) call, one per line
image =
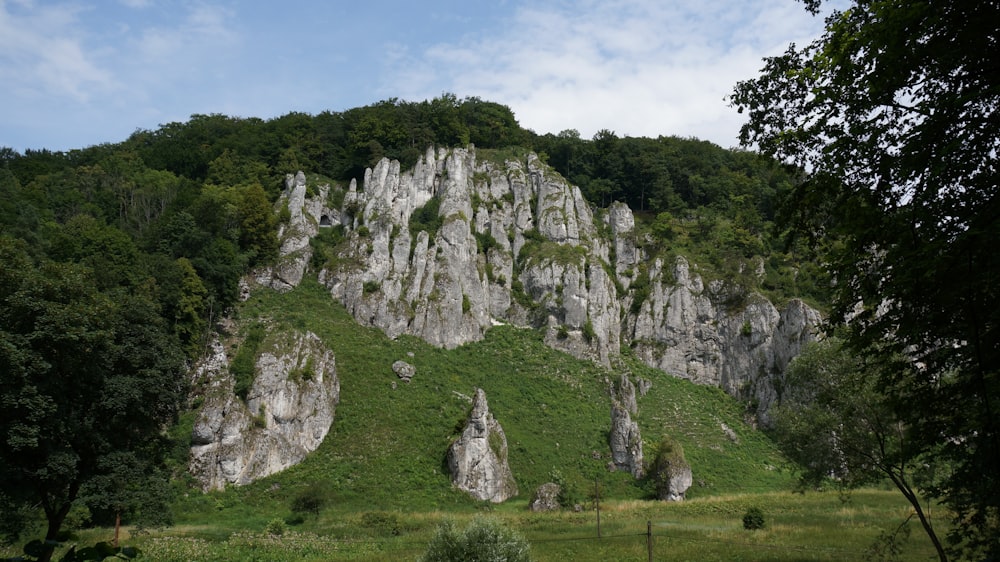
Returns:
point(75, 73)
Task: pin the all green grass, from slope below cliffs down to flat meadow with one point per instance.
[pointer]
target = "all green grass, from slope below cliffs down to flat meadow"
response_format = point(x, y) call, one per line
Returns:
point(382, 464)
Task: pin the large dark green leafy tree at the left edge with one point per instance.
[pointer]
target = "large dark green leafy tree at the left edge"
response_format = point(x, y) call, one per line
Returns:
point(87, 383)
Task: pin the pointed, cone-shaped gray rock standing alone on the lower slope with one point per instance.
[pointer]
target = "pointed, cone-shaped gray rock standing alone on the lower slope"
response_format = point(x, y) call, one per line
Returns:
point(478, 459)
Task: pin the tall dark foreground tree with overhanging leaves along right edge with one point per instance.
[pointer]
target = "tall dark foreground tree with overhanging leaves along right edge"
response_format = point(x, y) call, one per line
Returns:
point(892, 116)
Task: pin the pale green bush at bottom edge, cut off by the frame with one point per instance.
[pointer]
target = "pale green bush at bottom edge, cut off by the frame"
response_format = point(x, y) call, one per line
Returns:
point(484, 539)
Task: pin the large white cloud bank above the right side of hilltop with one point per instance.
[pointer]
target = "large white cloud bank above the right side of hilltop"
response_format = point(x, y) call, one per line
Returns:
point(641, 68)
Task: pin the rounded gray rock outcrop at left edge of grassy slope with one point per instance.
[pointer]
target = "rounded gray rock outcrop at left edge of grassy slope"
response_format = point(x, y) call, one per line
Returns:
point(288, 412)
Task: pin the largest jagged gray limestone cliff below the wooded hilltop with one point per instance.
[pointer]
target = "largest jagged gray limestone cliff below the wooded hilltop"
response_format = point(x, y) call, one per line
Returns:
point(517, 244)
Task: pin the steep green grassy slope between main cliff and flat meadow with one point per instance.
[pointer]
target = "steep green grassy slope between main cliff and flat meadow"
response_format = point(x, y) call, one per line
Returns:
point(387, 447)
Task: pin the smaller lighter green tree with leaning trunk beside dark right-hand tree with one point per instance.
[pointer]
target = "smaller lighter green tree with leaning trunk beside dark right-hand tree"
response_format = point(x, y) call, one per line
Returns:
point(834, 421)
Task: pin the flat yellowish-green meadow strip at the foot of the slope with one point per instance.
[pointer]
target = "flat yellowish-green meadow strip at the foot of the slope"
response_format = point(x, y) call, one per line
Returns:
point(814, 526)
